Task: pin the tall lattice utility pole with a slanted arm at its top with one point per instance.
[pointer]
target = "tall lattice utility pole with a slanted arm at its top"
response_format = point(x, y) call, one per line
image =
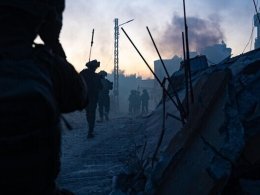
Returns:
point(116, 64)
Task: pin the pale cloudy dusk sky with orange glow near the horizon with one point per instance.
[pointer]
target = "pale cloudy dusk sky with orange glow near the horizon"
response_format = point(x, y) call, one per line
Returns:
point(209, 22)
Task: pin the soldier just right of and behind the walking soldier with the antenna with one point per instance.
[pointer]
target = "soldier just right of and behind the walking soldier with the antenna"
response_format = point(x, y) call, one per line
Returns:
point(103, 98)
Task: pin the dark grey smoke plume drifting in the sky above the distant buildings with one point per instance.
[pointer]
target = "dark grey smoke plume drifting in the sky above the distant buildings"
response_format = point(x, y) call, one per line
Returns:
point(201, 33)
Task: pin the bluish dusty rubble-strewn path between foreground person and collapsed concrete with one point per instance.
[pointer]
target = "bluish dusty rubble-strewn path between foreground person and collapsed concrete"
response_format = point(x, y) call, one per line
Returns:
point(88, 165)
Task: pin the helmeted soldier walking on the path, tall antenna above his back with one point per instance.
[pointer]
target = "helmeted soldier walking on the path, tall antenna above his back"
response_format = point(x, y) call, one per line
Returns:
point(93, 82)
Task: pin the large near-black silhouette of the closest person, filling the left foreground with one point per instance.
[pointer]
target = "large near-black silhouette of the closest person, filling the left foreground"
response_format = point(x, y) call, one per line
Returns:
point(36, 87)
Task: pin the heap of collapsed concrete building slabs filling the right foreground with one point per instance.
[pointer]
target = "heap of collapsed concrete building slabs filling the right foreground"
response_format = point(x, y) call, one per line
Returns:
point(216, 151)
